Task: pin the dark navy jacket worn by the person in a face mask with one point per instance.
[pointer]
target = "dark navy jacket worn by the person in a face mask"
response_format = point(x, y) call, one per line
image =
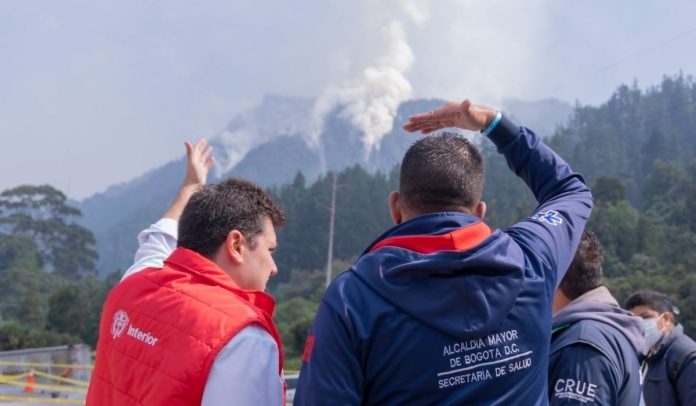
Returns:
point(671, 372)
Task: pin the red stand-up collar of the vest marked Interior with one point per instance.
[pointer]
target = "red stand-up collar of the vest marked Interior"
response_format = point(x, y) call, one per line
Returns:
point(185, 260)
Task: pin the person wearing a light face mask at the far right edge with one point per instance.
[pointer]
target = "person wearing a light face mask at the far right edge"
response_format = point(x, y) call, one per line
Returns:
point(669, 370)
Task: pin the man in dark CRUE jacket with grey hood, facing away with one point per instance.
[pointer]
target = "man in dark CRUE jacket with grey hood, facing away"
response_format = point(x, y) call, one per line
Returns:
point(595, 345)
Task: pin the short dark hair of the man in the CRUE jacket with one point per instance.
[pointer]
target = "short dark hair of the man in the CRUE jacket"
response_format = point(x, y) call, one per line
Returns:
point(585, 271)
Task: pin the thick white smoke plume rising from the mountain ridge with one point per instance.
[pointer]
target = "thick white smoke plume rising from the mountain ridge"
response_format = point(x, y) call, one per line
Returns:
point(370, 98)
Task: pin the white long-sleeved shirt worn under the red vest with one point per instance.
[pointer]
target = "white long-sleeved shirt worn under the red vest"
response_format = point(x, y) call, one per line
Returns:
point(245, 371)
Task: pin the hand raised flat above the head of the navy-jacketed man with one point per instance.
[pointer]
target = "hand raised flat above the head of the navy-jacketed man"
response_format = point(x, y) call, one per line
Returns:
point(464, 115)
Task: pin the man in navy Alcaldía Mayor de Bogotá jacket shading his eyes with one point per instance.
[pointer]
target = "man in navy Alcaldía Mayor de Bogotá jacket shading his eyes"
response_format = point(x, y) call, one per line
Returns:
point(441, 309)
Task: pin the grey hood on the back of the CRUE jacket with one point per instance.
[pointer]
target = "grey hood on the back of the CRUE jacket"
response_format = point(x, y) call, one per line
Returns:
point(599, 305)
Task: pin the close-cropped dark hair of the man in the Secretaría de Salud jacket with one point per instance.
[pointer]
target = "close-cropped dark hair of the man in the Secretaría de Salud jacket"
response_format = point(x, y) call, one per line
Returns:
point(441, 172)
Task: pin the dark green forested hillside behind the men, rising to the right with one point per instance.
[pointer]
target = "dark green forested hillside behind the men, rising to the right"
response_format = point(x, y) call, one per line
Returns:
point(637, 152)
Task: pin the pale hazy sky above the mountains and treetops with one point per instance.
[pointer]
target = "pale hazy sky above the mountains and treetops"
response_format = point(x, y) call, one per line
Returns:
point(94, 93)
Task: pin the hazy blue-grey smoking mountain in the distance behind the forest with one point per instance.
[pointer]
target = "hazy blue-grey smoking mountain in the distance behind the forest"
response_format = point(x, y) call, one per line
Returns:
point(270, 144)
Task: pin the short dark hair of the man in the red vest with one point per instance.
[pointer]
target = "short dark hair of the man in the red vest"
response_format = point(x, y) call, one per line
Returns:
point(217, 209)
